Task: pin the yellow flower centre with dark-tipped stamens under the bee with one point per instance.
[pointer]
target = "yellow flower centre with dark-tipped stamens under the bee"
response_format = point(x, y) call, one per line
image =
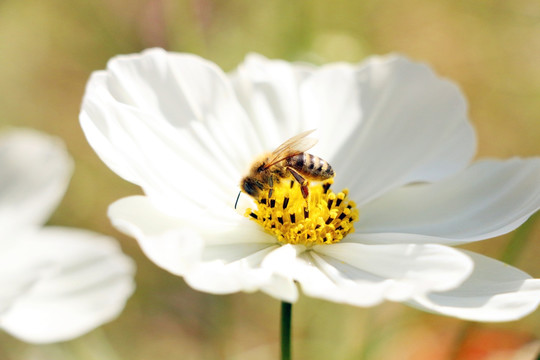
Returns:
point(322, 218)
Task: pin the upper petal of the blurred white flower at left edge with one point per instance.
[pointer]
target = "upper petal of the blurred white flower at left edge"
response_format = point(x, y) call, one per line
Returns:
point(34, 174)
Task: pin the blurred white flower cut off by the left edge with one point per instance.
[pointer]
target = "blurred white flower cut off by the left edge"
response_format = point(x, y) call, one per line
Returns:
point(56, 283)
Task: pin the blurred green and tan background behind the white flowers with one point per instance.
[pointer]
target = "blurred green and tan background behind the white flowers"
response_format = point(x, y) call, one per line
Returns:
point(491, 48)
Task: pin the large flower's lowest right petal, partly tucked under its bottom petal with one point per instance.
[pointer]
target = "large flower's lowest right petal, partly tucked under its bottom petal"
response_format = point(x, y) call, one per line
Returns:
point(494, 292)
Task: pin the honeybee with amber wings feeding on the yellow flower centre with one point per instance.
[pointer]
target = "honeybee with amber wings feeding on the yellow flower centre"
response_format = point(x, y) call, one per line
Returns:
point(289, 158)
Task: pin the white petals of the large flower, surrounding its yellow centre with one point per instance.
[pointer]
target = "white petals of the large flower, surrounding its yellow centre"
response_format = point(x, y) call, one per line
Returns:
point(397, 136)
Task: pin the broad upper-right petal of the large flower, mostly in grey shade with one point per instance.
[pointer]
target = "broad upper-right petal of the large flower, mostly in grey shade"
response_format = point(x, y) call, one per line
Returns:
point(387, 123)
